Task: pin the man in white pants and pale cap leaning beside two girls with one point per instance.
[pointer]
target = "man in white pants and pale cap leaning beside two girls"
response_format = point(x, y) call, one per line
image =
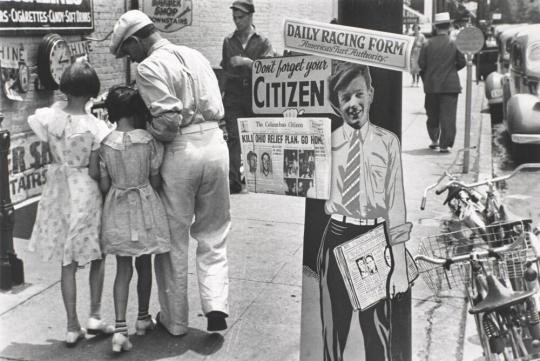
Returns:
point(180, 88)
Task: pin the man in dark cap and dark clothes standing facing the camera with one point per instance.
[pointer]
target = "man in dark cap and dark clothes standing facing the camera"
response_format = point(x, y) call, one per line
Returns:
point(240, 49)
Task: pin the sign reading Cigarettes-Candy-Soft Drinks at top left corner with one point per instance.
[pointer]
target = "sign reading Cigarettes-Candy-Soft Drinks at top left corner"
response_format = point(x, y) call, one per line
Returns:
point(46, 16)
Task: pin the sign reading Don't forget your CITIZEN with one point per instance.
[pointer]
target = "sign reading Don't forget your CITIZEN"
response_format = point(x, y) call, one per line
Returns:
point(299, 82)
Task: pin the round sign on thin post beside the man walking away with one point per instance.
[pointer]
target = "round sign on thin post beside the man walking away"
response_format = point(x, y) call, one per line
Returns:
point(469, 41)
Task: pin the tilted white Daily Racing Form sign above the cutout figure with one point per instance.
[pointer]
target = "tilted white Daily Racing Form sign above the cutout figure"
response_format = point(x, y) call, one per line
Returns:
point(357, 45)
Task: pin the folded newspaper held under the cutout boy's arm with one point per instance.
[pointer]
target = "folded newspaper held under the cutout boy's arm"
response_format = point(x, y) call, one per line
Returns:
point(364, 264)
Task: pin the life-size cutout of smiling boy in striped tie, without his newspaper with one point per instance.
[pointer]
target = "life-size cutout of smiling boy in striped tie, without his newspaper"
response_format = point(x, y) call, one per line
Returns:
point(366, 190)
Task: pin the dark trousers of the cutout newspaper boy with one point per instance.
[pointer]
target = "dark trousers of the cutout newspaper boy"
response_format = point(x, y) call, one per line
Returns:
point(337, 312)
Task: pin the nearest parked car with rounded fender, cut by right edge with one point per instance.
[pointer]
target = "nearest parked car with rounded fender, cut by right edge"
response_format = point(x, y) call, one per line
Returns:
point(522, 118)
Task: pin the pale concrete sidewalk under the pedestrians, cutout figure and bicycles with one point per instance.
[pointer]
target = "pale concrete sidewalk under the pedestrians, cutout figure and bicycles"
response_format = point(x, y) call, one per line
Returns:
point(265, 254)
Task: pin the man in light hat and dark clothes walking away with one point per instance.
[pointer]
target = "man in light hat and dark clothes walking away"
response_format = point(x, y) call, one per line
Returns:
point(439, 62)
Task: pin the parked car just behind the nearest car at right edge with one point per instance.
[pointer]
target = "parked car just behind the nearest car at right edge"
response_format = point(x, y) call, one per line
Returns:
point(494, 90)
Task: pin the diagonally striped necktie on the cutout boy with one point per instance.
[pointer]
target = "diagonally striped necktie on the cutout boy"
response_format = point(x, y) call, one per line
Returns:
point(351, 183)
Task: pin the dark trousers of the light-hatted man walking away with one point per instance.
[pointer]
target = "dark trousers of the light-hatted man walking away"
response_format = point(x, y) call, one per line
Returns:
point(441, 117)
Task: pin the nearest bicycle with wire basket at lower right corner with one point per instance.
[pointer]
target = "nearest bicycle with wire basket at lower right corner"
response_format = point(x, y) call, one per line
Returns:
point(496, 276)
